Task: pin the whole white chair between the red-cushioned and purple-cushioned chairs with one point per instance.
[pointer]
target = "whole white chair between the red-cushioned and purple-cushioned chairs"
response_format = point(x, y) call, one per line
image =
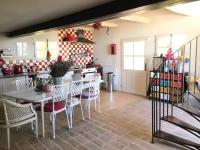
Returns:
point(75, 99)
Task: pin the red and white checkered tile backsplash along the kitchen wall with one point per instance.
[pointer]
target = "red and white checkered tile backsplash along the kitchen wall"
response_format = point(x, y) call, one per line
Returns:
point(65, 49)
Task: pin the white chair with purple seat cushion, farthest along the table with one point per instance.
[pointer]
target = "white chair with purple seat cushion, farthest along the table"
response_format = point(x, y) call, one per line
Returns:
point(92, 94)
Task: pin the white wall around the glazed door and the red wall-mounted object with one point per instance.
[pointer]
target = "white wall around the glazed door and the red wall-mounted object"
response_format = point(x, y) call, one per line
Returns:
point(158, 26)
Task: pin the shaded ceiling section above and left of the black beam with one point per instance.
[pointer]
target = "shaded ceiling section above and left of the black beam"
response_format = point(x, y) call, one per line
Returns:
point(20, 13)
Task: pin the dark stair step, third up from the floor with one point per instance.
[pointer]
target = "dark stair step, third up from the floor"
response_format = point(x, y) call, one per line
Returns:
point(189, 109)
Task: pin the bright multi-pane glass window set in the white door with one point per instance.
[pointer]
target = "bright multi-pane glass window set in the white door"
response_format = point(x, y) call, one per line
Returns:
point(134, 55)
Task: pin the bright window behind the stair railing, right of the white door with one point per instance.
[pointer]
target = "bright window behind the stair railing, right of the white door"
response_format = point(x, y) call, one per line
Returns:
point(164, 43)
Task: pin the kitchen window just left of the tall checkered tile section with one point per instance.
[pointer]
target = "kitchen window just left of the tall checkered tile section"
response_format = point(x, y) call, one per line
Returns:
point(41, 48)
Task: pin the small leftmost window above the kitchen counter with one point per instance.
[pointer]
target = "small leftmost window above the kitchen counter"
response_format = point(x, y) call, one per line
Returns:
point(22, 50)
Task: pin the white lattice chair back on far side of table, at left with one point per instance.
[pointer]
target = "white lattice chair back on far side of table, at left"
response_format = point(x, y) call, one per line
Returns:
point(22, 84)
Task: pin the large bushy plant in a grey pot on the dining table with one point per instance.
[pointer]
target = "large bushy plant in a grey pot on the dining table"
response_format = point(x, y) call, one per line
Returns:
point(59, 69)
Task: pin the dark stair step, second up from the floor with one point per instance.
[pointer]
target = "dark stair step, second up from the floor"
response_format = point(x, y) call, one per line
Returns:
point(180, 123)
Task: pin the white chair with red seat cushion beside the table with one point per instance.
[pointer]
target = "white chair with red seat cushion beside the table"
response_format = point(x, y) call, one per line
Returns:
point(58, 103)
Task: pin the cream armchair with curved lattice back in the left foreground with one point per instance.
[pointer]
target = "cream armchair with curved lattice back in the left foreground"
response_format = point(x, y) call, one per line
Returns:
point(13, 115)
